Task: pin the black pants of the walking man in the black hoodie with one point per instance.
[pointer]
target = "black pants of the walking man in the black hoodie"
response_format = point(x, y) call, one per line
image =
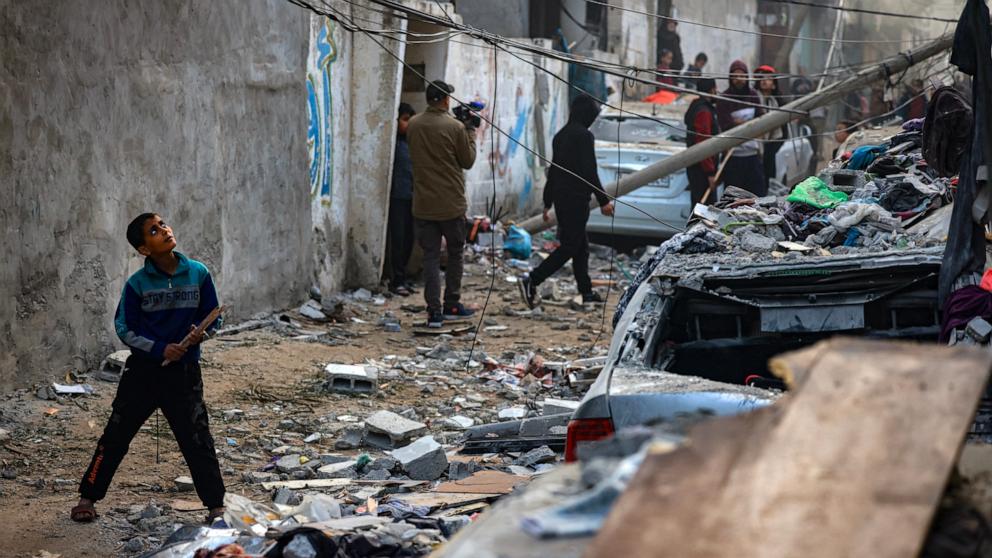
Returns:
point(572, 219)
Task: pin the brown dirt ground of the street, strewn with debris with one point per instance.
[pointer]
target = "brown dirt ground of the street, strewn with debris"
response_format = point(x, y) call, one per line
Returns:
point(272, 378)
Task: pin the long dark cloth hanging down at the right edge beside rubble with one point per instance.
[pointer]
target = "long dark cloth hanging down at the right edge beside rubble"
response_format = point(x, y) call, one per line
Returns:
point(965, 250)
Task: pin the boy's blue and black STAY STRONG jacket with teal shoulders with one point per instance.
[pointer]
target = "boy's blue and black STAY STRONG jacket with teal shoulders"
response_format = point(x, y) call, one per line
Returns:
point(157, 308)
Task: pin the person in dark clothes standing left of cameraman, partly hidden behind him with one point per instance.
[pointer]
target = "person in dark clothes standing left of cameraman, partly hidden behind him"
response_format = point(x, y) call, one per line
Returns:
point(399, 231)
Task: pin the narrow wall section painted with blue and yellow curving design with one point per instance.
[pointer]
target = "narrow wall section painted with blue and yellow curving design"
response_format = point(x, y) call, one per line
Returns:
point(353, 91)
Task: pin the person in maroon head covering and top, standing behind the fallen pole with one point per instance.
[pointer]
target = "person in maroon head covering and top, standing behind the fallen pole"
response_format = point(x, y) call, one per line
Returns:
point(744, 169)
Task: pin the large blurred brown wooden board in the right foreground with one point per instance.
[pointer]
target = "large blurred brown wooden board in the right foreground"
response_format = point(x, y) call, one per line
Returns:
point(853, 463)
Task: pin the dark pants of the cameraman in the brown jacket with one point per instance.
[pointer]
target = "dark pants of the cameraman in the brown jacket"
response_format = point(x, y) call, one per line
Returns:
point(429, 234)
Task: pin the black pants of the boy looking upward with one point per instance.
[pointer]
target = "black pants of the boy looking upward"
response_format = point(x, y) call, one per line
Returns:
point(177, 389)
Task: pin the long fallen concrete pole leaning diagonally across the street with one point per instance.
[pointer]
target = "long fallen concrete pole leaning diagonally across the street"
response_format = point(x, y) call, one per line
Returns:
point(760, 126)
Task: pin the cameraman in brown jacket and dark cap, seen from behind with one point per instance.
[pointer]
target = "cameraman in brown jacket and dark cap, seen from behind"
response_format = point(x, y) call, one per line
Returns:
point(440, 147)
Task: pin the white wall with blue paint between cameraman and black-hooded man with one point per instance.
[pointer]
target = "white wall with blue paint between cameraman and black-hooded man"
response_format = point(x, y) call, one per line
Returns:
point(530, 105)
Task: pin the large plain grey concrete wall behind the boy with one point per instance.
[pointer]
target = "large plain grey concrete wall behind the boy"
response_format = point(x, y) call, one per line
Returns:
point(192, 109)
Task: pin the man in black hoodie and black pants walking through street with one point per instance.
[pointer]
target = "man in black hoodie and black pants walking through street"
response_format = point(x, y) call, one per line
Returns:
point(571, 180)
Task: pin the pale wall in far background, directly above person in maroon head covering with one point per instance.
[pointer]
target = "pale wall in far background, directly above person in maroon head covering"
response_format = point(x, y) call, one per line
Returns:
point(722, 47)
